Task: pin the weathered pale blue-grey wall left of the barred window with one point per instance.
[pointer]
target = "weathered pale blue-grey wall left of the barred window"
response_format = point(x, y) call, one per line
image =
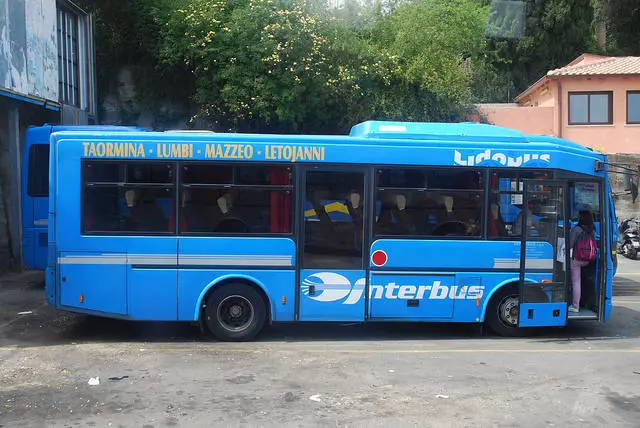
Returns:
point(28, 48)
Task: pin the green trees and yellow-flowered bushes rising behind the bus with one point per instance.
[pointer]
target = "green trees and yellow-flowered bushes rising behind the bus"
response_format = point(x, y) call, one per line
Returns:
point(303, 66)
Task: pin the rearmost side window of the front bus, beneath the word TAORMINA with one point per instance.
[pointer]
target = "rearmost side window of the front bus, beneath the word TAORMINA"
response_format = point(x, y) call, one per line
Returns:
point(127, 197)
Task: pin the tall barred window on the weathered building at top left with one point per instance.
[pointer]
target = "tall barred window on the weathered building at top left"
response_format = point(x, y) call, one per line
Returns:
point(75, 57)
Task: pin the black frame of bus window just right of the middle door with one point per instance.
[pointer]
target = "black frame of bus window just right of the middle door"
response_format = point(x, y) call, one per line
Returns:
point(482, 191)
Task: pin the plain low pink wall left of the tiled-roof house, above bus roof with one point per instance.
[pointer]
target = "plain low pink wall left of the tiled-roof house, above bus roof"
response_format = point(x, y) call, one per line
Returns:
point(530, 120)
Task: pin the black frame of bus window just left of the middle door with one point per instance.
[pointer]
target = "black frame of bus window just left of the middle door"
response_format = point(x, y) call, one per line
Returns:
point(291, 188)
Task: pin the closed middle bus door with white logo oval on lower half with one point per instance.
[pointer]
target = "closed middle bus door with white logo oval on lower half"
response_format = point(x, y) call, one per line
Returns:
point(332, 230)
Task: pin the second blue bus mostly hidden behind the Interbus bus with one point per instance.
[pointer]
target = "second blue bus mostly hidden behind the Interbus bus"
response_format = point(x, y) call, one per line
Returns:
point(35, 189)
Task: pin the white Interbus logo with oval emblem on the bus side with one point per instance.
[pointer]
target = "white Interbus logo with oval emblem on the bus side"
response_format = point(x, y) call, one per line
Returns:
point(331, 287)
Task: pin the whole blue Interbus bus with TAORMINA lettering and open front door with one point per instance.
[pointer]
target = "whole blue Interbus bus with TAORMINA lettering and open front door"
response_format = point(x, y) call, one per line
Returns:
point(397, 221)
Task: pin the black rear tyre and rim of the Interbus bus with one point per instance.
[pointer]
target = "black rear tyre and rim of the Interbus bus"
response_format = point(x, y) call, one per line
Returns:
point(235, 312)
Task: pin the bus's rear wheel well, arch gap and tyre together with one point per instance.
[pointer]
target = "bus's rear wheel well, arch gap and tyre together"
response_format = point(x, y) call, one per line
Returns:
point(234, 308)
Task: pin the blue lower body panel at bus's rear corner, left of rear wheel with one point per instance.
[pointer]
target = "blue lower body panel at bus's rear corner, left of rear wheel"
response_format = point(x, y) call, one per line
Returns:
point(104, 286)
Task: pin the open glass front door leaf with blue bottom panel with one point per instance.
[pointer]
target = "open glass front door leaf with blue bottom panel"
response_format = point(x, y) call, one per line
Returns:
point(544, 268)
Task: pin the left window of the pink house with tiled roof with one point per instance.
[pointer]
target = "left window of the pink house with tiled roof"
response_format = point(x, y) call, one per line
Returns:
point(590, 108)
